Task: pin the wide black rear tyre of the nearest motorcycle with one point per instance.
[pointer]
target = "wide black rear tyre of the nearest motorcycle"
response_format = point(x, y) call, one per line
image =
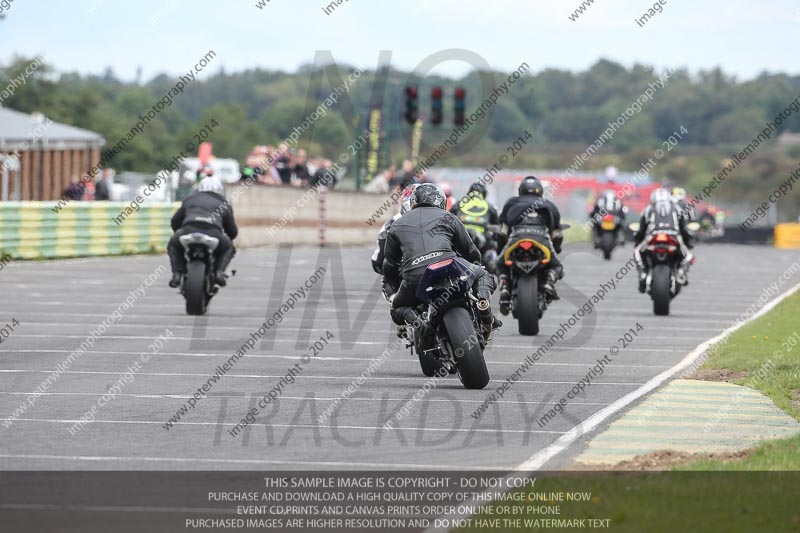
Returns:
point(470, 364)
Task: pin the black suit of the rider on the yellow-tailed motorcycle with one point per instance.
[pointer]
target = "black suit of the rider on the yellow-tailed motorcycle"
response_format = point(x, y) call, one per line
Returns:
point(535, 217)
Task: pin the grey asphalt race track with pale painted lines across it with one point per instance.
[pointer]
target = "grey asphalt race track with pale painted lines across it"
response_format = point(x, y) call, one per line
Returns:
point(58, 304)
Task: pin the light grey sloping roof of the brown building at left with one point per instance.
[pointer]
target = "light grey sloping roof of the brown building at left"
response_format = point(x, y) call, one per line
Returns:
point(17, 127)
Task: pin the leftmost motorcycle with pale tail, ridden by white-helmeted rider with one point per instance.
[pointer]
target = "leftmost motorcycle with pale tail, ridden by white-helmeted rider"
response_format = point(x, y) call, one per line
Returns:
point(199, 284)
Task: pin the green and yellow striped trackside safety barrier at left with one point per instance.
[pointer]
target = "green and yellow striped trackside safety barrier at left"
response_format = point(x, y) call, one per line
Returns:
point(33, 230)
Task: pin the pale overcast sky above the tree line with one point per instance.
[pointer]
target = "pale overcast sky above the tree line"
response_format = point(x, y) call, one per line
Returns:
point(743, 37)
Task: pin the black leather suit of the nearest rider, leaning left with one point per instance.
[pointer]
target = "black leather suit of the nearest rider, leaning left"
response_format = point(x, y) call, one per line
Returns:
point(423, 236)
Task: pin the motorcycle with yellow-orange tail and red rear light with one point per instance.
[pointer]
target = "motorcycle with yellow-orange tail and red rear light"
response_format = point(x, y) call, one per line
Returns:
point(527, 257)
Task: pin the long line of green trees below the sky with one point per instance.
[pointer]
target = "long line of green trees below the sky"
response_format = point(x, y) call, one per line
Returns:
point(565, 110)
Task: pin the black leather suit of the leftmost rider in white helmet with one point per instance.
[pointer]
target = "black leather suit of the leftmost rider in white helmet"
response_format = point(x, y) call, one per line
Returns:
point(209, 213)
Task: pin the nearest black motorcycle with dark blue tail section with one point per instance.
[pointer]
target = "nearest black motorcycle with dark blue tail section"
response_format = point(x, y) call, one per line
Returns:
point(453, 319)
